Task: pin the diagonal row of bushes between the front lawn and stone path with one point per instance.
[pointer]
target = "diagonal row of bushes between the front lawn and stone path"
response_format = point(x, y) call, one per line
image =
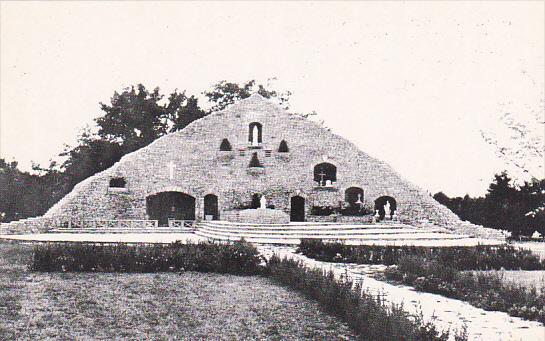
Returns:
point(365, 314)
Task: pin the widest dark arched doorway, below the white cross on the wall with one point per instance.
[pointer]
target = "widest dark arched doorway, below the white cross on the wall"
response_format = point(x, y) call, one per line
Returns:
point(170, 205)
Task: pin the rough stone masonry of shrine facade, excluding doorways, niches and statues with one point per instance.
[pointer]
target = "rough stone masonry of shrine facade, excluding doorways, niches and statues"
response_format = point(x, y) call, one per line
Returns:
point(200, 169)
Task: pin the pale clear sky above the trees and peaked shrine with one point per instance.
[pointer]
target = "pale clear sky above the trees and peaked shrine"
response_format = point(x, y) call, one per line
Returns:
point(415, 84)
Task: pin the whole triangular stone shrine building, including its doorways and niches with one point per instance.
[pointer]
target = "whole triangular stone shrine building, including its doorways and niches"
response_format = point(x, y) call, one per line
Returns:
point(252, 162)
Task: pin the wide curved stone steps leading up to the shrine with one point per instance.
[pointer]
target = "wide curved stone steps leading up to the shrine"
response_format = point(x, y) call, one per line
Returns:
point(292, 233)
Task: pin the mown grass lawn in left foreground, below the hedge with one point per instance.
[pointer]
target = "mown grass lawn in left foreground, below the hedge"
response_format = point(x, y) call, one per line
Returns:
point(152, 306)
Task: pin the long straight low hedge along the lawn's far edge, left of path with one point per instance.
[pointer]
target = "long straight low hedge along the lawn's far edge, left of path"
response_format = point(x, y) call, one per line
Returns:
point(236, 258)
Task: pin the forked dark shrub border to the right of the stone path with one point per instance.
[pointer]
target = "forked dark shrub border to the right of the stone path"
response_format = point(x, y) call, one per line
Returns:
point(439, 271)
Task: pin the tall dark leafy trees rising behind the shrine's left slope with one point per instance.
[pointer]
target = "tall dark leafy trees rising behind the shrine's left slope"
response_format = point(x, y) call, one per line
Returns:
point(135, 118)
